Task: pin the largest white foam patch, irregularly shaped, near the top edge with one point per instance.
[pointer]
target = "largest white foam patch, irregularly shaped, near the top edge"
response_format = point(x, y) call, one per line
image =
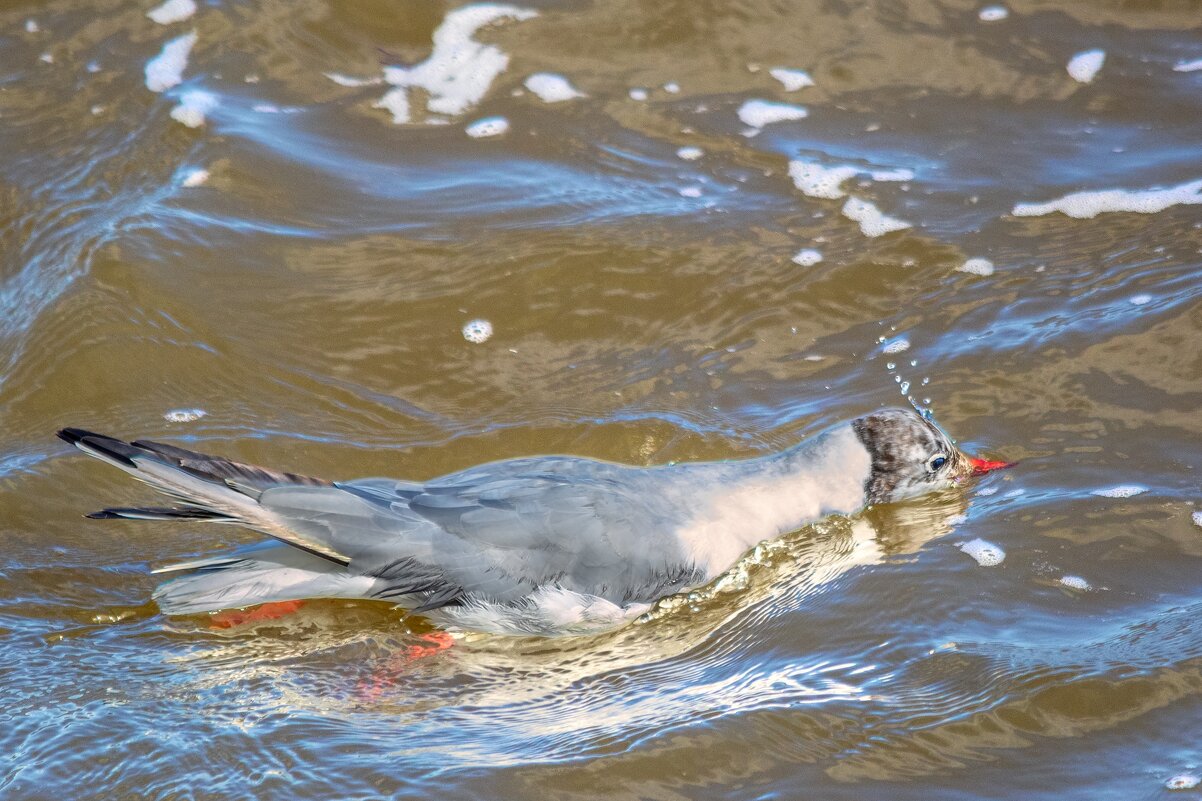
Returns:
point(460, 70)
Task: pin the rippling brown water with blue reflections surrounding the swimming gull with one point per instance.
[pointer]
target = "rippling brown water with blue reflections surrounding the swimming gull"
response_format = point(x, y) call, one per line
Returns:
point(275, 257)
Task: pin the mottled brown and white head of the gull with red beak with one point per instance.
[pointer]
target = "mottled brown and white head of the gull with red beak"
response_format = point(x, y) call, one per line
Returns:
point(913, 456)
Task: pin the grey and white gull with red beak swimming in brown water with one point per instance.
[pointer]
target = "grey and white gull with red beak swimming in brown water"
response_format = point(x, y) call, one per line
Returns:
point(545, 545)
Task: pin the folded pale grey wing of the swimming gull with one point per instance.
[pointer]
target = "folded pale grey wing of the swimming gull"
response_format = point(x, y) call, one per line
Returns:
point(501, 531)
